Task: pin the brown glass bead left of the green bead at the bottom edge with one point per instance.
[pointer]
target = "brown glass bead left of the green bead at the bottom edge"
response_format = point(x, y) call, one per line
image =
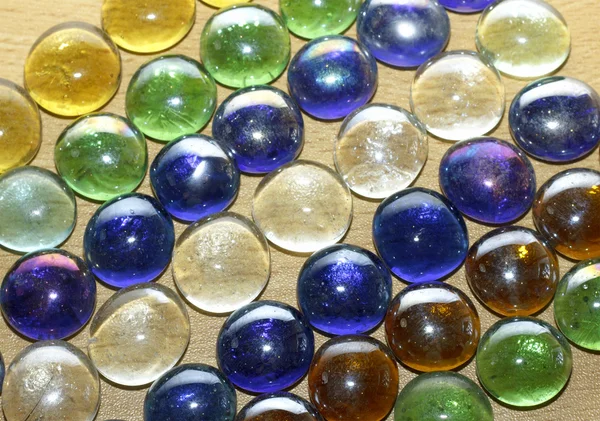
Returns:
point(353, 377)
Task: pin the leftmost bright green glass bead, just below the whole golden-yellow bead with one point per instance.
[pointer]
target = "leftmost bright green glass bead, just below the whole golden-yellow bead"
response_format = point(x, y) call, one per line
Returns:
point(101, 156)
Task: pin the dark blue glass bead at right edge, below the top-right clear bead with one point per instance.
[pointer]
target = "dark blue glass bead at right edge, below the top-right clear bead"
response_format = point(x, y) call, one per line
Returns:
point(556, 119)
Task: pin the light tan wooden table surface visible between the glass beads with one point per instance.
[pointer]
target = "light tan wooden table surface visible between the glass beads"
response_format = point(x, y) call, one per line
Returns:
point(22, 21)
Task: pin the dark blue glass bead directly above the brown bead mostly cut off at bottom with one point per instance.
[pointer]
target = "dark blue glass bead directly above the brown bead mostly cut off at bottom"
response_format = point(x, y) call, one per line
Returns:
point(265, 346)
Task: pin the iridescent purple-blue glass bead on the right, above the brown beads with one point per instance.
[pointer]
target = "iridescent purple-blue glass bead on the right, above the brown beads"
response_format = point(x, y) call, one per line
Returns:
point(488, 180)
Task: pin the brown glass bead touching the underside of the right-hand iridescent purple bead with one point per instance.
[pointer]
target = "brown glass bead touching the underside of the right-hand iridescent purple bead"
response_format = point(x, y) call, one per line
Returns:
point(512, 271)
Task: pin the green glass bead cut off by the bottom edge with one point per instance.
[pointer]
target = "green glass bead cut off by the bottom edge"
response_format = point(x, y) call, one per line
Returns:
point(442, 395)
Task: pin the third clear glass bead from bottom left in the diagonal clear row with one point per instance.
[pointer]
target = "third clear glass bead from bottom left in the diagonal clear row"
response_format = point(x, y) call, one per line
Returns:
point(221, 263)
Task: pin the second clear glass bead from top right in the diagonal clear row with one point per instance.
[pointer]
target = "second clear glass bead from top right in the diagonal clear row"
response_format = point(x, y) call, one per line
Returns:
point(457, 95)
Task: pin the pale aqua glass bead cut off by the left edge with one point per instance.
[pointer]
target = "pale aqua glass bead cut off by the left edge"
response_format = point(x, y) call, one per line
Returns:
point(37, 209)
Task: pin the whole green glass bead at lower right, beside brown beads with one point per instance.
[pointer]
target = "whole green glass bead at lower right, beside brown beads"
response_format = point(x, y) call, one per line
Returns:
point(523, 361)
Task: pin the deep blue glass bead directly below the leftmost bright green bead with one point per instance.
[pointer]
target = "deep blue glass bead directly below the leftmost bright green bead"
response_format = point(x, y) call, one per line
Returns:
point(129, 240)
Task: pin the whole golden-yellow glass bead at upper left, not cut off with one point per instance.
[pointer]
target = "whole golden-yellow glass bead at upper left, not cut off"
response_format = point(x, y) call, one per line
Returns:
point(73, 69)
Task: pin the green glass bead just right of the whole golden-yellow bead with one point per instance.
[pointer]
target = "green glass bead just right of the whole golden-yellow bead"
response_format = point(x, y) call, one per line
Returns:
point(171, 96)
